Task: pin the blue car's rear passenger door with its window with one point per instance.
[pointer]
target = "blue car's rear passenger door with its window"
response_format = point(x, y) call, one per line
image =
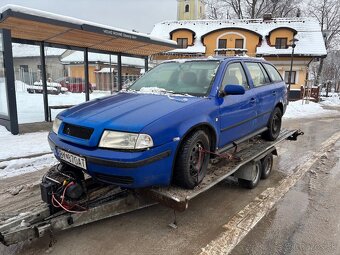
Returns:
point(264, 91)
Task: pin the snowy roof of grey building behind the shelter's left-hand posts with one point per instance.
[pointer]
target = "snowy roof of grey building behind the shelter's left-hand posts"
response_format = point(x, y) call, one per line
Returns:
point(24, 50)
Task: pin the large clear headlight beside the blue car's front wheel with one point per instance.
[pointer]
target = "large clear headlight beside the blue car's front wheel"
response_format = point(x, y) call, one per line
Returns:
point(122, 140)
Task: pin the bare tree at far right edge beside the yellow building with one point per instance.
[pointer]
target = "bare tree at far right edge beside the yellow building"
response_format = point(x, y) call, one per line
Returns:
point(327, 12)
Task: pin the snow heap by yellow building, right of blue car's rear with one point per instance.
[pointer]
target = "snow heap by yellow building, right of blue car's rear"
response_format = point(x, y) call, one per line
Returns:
point(307, 110)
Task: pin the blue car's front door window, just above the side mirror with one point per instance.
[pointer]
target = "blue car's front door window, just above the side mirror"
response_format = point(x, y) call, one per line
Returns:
point(235, 75)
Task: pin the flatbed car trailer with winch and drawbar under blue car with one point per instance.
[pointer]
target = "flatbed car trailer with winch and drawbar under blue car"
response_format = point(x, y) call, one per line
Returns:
point(99, 201)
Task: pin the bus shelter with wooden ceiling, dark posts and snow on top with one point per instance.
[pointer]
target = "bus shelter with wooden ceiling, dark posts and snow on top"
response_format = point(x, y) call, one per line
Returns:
point(29, 26)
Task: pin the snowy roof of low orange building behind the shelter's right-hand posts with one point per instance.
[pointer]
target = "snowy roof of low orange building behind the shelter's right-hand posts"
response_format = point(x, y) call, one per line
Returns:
point(78, 56)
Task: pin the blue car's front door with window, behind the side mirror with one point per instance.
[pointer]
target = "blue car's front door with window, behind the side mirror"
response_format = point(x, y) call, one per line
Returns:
point(237, 112)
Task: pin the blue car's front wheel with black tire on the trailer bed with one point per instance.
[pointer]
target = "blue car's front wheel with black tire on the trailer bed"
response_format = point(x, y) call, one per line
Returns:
point(188, 172)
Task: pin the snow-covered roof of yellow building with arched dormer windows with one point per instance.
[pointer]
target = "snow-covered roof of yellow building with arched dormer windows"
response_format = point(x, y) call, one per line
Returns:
point(308, 33)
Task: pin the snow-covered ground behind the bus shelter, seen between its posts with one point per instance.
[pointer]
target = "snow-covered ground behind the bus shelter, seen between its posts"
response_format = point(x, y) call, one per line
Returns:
point(31, 106)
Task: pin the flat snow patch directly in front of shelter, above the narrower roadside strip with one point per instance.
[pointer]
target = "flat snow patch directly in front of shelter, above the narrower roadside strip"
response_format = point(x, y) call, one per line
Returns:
point(22, 145)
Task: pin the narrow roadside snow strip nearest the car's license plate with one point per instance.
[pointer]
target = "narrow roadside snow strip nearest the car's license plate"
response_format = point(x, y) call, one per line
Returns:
point(25, 165)
